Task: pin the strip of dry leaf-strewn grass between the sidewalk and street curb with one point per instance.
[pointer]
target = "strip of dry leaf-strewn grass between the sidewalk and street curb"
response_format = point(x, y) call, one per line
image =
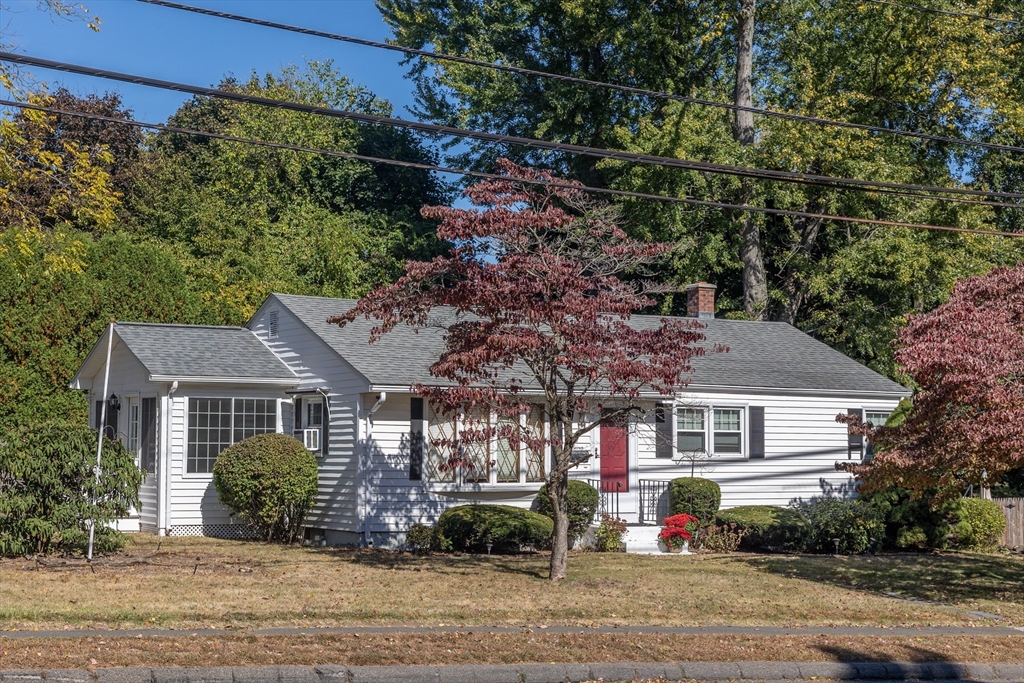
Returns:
point(490, 649)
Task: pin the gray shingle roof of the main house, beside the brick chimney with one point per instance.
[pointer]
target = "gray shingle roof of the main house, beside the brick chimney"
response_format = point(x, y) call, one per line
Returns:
point(770, 356)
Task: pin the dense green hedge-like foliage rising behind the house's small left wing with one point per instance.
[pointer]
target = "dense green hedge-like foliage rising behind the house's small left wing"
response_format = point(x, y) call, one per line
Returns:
point(55, 317)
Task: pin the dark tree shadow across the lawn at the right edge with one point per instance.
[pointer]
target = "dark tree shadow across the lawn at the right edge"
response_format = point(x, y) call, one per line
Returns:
point(938, 577)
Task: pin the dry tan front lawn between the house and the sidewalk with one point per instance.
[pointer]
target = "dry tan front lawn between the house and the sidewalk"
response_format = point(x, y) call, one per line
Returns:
point(248, 585)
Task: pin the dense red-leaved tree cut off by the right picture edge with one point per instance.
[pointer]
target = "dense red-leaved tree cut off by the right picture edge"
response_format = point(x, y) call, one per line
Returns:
point(967, 358)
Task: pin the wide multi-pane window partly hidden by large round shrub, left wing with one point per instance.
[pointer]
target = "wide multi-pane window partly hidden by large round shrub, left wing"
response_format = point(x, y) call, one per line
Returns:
point(217, 423)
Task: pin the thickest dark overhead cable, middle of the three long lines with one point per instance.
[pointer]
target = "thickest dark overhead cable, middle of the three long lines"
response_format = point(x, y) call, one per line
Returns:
point(434, 130)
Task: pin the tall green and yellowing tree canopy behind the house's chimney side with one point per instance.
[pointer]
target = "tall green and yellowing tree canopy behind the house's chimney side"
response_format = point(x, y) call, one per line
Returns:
point(858, 62)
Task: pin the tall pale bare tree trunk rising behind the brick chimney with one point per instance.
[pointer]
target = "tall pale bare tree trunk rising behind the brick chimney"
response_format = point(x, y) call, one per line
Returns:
point(755, 280)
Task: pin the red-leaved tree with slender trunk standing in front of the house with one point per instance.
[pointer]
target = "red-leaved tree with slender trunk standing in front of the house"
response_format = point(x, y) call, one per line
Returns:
point(535, 298)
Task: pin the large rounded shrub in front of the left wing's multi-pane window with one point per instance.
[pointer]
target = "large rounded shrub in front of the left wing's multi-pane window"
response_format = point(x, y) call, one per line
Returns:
point(271, 482)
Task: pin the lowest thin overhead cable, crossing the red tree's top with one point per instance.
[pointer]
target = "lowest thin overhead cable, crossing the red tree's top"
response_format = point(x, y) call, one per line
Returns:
point(496, 177)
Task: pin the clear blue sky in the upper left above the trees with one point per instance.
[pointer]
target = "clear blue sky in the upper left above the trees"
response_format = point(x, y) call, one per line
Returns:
point(181, 47)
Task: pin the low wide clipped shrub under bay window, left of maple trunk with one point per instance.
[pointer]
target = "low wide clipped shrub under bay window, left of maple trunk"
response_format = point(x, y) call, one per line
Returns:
point(471, 528)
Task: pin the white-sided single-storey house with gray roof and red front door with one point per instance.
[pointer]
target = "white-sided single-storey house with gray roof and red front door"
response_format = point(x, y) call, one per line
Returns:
point(762, 417)
